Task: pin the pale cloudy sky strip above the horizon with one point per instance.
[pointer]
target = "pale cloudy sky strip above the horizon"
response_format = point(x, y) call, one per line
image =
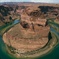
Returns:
point(45, 1)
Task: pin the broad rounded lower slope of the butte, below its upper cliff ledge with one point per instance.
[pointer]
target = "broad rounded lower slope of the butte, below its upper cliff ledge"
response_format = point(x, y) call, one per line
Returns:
point(28, 38)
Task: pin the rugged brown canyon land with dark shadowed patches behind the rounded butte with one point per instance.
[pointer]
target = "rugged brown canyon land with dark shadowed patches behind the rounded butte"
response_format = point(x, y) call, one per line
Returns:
point(13, 11)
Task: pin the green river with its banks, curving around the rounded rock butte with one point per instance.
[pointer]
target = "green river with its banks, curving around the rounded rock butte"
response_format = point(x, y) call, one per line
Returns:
point(51, 54)
